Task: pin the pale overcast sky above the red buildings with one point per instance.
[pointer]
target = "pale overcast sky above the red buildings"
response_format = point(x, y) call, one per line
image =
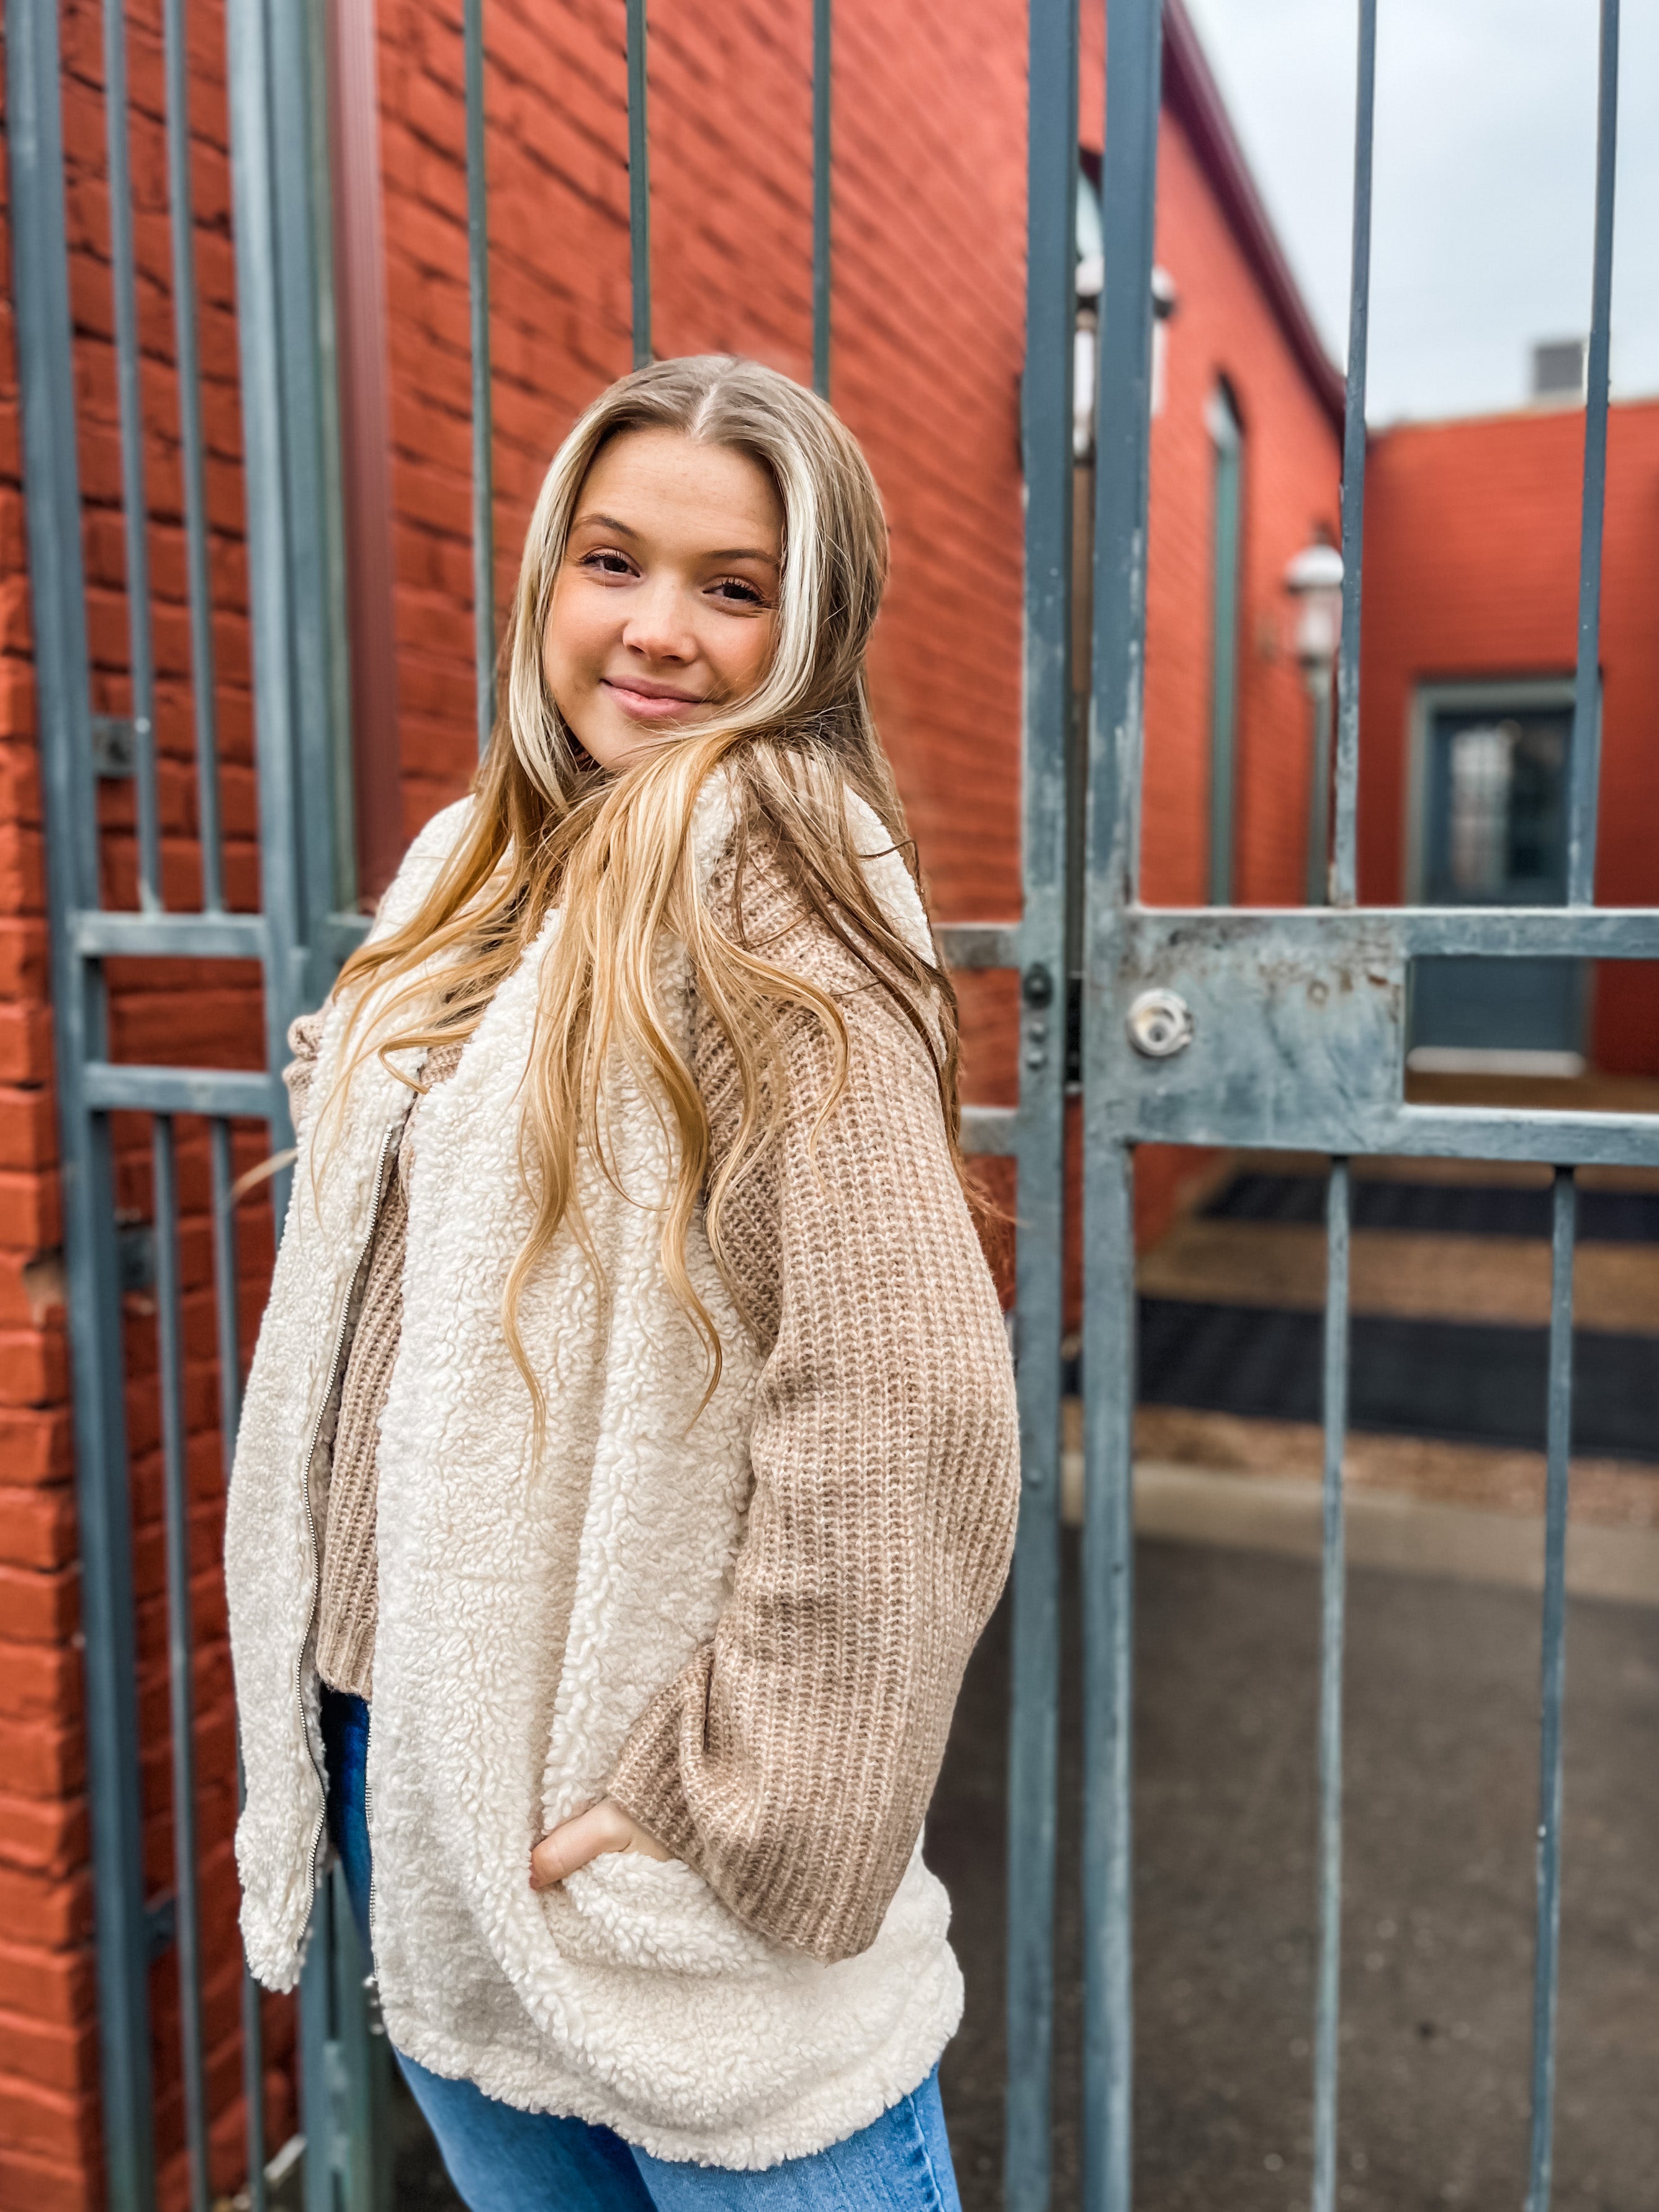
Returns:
point(1485, 182)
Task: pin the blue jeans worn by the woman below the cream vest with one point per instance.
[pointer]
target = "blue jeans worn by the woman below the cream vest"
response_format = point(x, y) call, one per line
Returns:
point(503, 2160)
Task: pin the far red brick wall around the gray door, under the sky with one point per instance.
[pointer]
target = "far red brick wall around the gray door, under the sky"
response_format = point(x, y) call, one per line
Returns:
point(1472, 550)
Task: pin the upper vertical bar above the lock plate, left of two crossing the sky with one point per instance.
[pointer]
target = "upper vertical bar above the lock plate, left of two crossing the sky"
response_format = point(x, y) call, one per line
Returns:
point(1359, 335)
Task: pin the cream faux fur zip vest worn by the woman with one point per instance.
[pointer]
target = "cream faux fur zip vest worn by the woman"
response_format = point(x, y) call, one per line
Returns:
point(632, 1994)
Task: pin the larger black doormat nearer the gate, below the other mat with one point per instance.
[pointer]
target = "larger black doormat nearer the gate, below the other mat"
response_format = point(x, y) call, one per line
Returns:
point(1472, 1384)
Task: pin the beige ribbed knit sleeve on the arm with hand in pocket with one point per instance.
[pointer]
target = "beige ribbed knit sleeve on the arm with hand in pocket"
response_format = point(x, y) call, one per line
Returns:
point(793, 1762)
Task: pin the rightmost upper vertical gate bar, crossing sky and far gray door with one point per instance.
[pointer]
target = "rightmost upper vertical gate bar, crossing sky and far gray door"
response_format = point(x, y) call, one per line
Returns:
point(1587, 687)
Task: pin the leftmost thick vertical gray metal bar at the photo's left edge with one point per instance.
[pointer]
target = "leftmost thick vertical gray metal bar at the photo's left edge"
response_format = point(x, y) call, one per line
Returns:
point(59, 605)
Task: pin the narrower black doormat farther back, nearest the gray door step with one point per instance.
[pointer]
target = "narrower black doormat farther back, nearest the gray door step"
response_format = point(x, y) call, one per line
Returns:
point(1441, 1209)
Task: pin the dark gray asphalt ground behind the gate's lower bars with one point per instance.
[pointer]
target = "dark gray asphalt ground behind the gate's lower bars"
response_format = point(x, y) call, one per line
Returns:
point(1439, 1899)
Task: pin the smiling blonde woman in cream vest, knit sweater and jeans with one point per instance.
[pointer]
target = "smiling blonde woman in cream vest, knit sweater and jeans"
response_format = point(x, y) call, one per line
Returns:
point(629, 1457)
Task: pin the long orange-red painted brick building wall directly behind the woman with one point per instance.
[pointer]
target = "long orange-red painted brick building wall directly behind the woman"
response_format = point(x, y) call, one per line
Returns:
point(928, 353)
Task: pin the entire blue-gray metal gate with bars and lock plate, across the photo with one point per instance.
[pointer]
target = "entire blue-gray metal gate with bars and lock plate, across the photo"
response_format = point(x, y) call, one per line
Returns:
point(1211, 1027)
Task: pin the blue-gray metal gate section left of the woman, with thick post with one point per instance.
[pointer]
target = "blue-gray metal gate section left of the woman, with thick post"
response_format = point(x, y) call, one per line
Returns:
point(298, 937)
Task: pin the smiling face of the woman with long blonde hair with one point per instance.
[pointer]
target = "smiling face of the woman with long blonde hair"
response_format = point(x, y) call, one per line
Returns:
point(665, 607)
